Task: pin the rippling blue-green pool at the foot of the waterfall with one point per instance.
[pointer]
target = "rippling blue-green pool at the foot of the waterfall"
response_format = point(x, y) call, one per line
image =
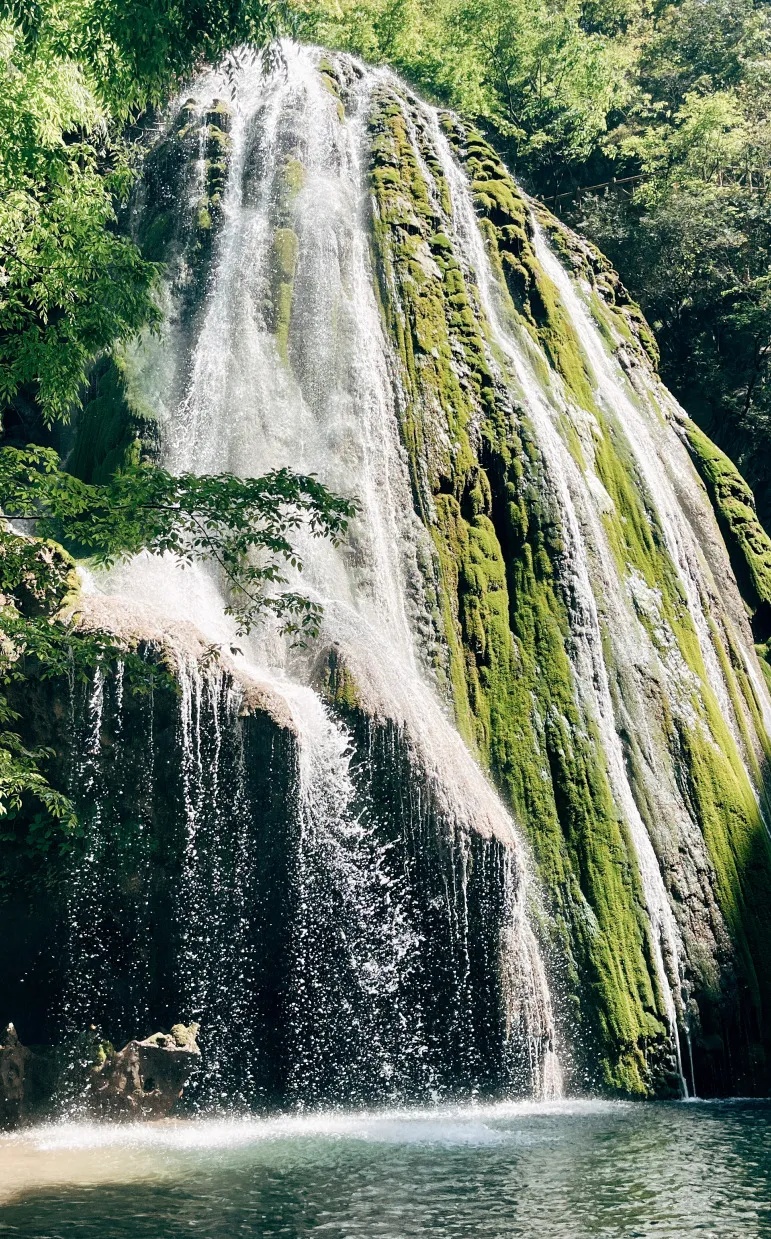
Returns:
point(560, 1171)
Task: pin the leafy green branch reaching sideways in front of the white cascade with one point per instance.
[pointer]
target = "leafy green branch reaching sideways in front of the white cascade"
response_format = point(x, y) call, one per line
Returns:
point(245, 525)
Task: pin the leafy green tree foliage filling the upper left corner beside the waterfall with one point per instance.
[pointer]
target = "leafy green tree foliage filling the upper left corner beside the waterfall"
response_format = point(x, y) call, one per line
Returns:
point(74, 72)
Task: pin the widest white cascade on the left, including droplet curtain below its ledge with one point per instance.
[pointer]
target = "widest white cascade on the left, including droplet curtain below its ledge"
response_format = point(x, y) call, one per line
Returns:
point(237, 392)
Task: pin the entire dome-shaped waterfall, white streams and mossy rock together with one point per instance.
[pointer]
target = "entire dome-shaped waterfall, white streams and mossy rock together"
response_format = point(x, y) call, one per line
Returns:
point(350, 909)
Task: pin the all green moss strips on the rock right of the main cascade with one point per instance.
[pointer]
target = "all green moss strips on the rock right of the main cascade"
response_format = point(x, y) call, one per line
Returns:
point(480, 486)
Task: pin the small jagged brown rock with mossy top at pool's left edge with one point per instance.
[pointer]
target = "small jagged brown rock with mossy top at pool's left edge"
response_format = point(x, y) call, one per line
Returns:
point(147, 1079)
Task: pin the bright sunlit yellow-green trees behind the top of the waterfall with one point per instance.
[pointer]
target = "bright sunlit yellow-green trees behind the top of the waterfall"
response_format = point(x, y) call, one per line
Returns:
point(531, 70)
